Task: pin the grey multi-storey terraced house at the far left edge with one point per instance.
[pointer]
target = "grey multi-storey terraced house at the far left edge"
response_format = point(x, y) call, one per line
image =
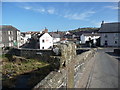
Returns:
point(10, 36)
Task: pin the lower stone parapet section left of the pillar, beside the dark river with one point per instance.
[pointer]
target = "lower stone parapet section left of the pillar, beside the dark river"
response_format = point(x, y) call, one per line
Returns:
point(53, 80)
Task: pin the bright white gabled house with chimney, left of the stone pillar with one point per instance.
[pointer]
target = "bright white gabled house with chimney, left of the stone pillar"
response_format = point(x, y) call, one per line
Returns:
point(45, 40)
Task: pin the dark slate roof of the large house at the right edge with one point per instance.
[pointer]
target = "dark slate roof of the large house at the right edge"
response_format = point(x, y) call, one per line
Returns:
point(110, 27)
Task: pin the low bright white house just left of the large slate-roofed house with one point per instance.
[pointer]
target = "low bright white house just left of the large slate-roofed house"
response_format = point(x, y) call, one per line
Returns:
point(87, 36)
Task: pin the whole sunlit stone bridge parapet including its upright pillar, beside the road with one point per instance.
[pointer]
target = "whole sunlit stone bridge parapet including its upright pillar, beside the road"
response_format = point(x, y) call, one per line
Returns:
point(70, 63)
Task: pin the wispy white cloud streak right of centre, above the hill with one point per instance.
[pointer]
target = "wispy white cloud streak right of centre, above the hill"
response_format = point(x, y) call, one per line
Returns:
point(79, 16)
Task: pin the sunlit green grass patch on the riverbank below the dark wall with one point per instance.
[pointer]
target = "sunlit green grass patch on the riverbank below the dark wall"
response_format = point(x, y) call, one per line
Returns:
point(22, 67)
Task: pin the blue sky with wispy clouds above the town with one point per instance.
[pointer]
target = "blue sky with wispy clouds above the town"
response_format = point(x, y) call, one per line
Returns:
point(35, 16)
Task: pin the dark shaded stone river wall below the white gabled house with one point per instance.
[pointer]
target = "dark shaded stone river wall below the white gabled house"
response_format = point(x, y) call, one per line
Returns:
point(43, 55)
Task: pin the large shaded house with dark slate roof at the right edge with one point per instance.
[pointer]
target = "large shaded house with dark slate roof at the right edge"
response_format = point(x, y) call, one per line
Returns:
point(110, 34)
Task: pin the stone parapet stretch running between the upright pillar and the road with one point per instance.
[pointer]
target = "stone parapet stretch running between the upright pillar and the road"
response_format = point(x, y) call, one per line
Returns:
point(81, 61)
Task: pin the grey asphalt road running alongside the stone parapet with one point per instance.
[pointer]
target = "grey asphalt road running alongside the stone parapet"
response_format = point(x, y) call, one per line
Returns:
point(104, 73)
